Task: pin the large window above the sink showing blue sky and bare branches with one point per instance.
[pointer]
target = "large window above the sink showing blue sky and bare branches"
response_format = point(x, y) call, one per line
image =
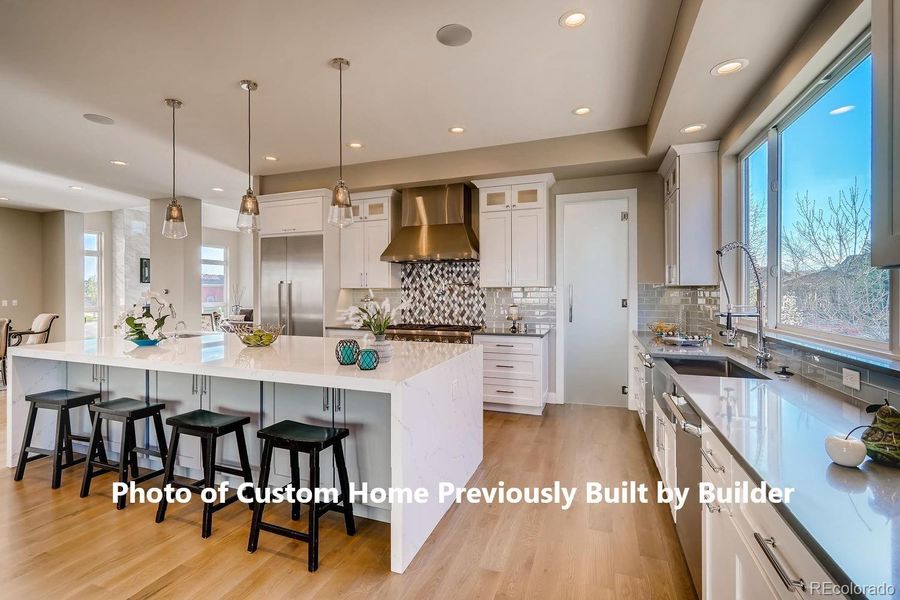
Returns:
point(820, 197)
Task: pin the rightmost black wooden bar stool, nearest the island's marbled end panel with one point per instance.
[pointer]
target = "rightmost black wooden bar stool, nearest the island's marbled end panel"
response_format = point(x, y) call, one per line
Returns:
point(311, 439)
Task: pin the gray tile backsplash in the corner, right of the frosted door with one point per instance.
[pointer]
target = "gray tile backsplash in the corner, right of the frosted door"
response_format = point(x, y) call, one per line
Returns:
point(692, 308)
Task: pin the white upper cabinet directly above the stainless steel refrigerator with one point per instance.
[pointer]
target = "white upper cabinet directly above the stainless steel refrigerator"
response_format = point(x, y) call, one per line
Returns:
point(291, 213)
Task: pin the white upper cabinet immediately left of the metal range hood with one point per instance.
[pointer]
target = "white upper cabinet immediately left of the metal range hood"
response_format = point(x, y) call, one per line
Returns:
point(363, 242)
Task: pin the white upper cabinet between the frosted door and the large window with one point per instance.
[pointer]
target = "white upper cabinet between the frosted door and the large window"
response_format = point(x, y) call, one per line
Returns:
point(691, 187)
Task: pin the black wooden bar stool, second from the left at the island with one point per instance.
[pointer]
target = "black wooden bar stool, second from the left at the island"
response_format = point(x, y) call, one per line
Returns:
point(125, 411)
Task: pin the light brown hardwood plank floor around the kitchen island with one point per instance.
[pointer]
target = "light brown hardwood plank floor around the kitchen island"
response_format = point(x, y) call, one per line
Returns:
point(53, 544)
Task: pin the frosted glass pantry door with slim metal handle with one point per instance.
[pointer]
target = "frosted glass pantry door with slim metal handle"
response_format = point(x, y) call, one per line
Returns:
point(594, 282)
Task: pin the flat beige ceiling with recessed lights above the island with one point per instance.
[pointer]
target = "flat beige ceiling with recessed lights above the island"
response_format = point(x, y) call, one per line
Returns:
point(517, 80)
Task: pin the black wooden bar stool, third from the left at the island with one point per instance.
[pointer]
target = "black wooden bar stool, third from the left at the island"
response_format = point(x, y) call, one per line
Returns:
point(209, 427)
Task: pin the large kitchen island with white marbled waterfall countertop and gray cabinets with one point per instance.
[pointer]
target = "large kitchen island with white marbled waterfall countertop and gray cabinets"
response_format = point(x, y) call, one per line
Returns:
point(414, 422)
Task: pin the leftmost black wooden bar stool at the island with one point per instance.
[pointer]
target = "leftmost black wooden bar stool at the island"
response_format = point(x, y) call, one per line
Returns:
point(61, 401)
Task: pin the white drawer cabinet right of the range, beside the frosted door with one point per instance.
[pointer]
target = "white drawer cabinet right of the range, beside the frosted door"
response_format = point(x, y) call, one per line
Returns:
point(516, 373)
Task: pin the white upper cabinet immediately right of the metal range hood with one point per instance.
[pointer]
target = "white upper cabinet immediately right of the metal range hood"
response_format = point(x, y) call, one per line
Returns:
point(514, 231)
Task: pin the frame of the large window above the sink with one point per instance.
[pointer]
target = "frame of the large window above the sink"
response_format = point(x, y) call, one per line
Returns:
point(848, 60)
